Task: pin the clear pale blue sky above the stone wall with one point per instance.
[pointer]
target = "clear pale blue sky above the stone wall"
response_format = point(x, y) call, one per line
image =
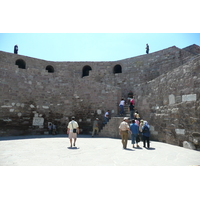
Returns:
point(92, 46)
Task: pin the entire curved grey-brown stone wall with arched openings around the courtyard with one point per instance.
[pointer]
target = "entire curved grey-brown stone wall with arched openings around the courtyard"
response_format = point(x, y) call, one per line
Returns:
point(165, 84)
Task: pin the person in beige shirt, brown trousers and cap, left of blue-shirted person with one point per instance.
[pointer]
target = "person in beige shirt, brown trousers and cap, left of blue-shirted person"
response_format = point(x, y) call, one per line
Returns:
point(123, 131)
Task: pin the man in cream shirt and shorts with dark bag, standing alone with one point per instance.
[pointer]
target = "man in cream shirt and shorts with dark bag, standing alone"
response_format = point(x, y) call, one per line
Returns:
point(72, 130)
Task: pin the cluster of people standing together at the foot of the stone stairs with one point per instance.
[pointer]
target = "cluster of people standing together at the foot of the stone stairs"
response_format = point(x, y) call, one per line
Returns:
point(139, 130)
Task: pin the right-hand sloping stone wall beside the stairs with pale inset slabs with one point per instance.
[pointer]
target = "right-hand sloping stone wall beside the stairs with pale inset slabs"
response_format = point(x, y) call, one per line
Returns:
point(171, 104)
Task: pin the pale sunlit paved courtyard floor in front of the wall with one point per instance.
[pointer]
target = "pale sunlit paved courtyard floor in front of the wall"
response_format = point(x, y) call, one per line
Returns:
point(55, 151)
